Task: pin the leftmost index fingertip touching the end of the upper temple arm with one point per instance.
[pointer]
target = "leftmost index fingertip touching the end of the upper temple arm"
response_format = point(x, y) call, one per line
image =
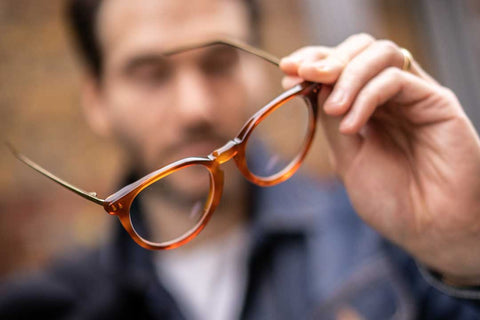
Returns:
point(290, 63)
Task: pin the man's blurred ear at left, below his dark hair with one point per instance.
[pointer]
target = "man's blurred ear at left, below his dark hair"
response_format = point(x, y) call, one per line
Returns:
point(95, 107)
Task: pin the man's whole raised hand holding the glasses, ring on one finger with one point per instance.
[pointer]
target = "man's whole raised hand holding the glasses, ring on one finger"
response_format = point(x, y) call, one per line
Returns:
point(404, 148)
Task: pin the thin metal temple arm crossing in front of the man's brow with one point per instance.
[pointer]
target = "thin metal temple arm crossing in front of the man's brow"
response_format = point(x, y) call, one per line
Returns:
point(232, 43)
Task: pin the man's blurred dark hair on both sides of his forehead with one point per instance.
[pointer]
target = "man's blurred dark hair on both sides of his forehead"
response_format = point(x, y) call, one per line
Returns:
point(82, 18)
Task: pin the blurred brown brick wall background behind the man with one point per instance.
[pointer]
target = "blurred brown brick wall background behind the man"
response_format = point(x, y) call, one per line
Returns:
point(40, 106)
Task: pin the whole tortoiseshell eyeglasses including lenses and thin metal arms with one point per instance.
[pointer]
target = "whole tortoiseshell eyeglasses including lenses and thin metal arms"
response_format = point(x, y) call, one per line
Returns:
point(181, 197)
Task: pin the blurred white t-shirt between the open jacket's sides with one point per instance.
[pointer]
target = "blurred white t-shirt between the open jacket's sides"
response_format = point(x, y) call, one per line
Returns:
point(209, 281)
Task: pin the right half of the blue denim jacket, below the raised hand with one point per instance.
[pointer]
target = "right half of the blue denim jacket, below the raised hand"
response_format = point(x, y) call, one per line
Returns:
point(327, 260)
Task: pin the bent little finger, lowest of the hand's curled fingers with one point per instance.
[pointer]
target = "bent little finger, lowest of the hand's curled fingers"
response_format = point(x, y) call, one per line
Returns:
point(392, 85)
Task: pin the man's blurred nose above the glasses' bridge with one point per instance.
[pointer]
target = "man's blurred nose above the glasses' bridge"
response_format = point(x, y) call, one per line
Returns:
point(195, 99)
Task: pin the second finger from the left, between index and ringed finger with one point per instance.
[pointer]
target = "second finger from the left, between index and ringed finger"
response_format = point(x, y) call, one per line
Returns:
point(329, 69)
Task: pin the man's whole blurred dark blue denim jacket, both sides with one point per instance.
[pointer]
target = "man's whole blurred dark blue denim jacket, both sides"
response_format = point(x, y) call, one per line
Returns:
point(311, 257)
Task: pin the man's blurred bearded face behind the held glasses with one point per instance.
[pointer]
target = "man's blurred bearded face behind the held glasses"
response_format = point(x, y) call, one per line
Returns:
point(163, 109)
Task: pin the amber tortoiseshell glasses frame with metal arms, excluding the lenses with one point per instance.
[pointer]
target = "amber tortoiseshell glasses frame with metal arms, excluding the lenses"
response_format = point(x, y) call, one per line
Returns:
point(120, 202)
